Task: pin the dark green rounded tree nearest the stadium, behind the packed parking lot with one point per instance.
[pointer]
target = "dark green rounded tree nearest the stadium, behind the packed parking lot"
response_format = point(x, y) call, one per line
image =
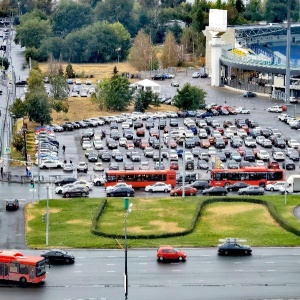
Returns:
point(189, 97)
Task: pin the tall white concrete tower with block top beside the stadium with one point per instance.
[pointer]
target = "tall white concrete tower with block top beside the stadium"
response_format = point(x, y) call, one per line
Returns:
point(217, 27)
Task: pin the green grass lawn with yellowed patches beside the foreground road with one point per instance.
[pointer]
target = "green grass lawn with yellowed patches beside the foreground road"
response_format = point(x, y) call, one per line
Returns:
point(71, 221)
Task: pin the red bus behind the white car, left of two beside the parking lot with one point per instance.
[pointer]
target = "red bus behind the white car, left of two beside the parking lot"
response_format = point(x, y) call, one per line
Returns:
point(140, 178)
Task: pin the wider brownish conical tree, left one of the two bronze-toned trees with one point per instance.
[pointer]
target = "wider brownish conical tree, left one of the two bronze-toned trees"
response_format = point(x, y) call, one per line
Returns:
point(142, 55)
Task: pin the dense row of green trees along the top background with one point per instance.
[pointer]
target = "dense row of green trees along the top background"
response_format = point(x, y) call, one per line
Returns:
point(101, 31)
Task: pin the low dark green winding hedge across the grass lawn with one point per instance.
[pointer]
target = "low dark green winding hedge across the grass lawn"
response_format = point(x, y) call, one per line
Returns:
point(271, 208)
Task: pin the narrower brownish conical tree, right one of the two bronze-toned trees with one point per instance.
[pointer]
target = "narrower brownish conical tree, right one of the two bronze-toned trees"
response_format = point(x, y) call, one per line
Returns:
point(170, 55)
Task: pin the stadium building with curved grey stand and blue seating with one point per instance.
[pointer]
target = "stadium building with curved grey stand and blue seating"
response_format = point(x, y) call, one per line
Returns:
point(253, 58)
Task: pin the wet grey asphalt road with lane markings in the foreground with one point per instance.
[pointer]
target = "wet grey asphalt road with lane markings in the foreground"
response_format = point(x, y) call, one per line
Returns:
point(270, 273)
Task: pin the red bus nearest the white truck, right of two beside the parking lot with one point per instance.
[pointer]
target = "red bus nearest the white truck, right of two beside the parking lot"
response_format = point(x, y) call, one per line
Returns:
point(251, 175)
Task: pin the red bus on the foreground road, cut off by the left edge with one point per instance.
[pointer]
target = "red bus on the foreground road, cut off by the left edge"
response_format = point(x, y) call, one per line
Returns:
point(15, 266)
